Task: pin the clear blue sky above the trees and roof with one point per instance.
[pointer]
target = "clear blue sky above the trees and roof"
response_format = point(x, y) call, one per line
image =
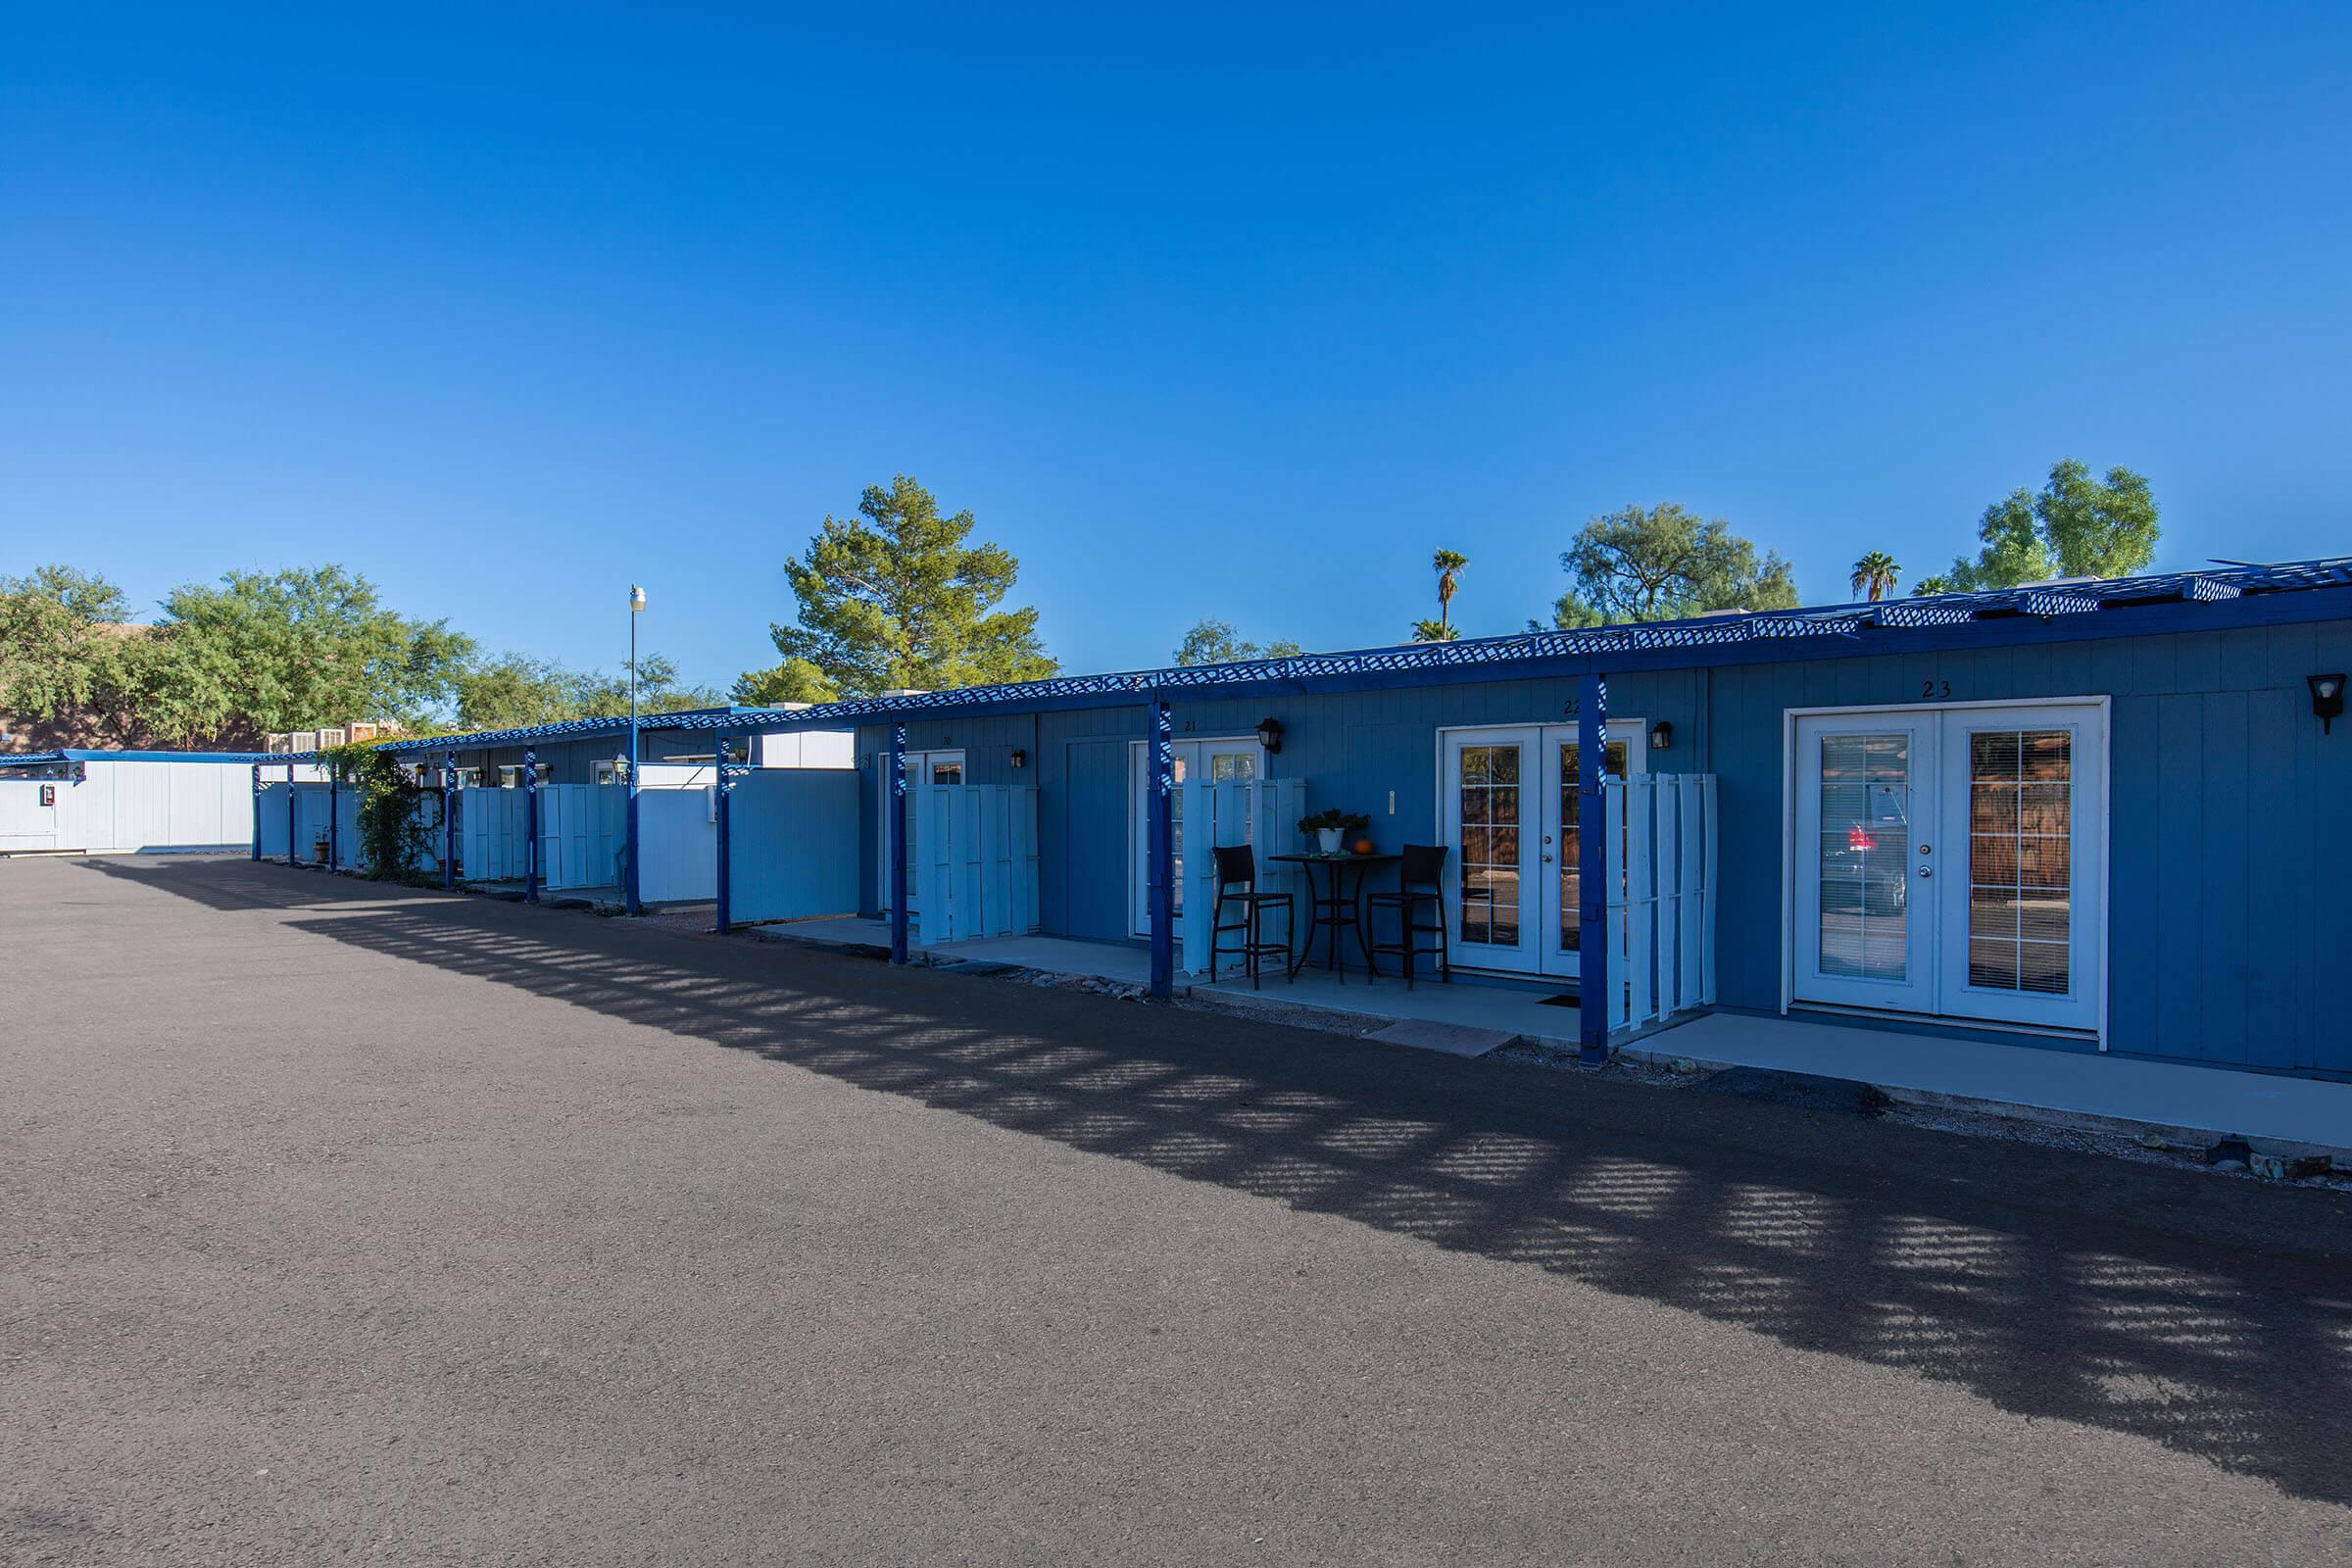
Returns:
point(1201, 311)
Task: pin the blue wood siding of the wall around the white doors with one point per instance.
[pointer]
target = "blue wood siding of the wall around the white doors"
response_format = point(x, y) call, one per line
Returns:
point(2229, 859)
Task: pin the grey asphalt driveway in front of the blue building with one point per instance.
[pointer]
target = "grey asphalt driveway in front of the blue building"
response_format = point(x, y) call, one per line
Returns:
point(370, 1226)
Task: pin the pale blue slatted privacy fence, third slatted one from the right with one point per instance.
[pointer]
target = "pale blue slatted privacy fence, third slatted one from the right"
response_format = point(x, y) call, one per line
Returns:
point(973, 862)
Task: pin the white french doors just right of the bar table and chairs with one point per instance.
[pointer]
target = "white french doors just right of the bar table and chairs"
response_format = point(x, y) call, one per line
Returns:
point(1511, 817)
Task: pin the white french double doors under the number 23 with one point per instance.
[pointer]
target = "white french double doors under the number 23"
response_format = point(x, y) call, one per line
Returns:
point(1953, 862)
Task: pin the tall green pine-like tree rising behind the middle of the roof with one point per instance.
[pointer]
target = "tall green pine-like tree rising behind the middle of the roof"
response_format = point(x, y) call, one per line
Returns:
point(900, 598)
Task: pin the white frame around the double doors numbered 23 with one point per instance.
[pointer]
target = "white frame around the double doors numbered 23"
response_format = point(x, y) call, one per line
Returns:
point(2092, 836)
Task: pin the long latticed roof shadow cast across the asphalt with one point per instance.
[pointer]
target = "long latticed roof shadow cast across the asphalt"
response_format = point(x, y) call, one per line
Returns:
point(2200, 1313)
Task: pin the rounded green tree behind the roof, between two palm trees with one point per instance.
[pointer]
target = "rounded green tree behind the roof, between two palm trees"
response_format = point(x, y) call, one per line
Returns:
point(1664, 563)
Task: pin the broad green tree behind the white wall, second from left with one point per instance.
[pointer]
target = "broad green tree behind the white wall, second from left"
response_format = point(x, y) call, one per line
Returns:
point(290, 650)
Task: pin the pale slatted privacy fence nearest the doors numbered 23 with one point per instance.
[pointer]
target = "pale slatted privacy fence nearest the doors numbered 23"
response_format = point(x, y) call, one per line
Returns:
point(1662, 911)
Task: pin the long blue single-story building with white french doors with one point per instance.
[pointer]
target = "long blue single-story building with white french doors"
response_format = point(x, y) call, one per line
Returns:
point(2106, 815)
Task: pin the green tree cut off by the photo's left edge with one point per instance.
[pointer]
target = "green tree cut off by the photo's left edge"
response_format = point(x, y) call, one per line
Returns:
point(67, 652)
